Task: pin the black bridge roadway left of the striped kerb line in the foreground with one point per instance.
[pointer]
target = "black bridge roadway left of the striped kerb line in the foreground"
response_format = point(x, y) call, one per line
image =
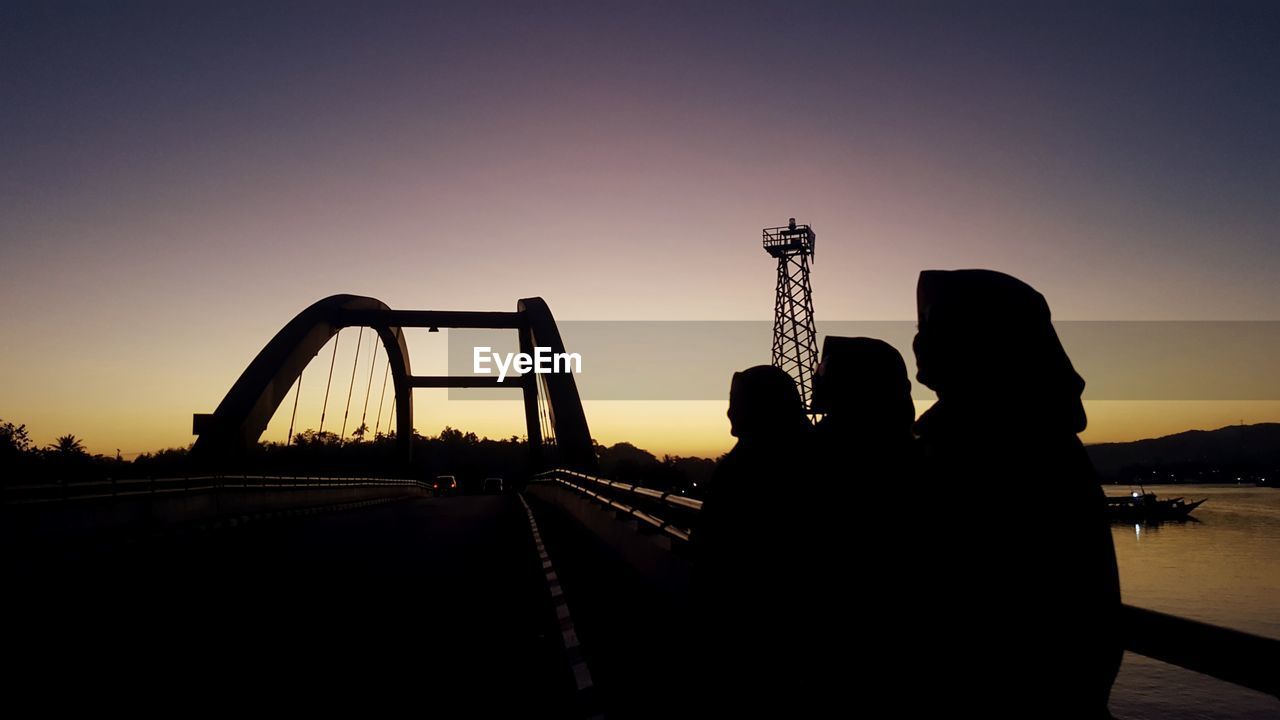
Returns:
point(417, 599)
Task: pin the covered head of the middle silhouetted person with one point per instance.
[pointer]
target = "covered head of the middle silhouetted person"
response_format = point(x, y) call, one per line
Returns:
point(862, 382)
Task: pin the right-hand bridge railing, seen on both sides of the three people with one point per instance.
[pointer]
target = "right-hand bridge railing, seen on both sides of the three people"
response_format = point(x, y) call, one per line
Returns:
point(1235, 657)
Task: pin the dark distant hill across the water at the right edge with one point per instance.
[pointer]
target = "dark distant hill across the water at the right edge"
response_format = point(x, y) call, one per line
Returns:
point(1201, 455)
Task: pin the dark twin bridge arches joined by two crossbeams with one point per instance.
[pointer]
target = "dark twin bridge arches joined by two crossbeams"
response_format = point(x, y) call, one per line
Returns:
point(244, 414)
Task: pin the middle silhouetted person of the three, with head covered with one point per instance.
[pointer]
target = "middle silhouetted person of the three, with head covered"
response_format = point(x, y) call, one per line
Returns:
point(861, 572)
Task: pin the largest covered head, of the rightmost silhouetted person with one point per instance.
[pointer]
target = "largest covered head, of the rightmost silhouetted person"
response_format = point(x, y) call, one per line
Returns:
point(986, 340)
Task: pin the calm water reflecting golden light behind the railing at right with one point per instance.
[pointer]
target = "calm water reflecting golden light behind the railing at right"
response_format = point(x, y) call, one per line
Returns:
point(1224, 569)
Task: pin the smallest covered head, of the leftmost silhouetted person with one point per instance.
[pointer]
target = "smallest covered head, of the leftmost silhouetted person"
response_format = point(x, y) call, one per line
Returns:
point(764, 403)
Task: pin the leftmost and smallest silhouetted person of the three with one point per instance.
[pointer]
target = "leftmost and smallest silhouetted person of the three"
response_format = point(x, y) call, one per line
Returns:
point(746, 545)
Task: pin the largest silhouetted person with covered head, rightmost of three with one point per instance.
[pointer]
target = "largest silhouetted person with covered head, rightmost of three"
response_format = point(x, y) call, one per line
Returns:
point(1026, 585)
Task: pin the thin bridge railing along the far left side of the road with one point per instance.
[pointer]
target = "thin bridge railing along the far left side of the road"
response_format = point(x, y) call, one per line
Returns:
point(100, 490)
